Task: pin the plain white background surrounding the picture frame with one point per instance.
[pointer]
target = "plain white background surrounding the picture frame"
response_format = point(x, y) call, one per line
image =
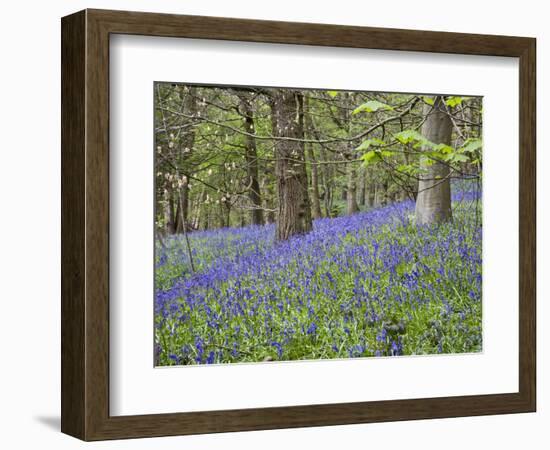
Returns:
point(30, 221)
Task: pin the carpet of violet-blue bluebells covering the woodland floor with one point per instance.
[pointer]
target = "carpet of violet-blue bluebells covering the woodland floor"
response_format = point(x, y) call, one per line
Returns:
point(370, 284)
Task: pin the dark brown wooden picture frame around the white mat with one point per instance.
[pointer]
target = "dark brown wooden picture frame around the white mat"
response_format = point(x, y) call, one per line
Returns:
point(85, 224)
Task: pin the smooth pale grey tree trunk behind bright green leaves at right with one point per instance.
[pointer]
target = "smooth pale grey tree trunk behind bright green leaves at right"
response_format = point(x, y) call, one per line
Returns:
point(433, 203)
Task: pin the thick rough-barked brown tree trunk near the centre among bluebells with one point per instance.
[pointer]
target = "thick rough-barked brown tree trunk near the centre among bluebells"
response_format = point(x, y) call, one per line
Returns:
point(293, 216)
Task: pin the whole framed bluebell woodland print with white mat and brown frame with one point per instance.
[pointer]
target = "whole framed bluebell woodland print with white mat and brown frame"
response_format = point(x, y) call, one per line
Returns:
point(272, 224)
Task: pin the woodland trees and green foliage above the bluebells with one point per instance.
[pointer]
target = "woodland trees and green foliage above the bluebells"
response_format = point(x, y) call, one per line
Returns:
point(233, 156)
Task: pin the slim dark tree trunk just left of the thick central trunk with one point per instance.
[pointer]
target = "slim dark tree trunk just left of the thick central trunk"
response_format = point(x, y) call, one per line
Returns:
point(251, 155)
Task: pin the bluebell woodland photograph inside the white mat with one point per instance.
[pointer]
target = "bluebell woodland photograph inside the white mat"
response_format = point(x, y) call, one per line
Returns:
point(304, 224)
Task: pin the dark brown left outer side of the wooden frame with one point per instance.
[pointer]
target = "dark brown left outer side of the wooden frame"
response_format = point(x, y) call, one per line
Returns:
point(73, 108)
